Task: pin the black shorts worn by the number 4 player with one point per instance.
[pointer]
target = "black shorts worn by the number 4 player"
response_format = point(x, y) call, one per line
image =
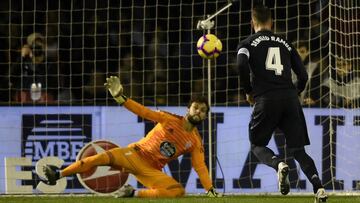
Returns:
point(277, 112)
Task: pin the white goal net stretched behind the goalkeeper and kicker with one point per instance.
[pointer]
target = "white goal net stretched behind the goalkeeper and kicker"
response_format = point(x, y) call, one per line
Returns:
point(55, 57)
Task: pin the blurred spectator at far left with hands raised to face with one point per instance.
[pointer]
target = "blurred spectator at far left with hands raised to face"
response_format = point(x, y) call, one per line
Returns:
point(33, 77)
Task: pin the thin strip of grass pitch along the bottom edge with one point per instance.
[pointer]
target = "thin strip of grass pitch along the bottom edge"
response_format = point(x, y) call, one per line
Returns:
point(187, 199)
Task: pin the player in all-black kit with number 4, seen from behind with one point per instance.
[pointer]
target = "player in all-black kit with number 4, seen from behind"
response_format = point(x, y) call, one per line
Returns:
point(265, 61)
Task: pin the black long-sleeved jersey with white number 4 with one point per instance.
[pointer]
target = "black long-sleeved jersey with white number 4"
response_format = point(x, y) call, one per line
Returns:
point(265, 61)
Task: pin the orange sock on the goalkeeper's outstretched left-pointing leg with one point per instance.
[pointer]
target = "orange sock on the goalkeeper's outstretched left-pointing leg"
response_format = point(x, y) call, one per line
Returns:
point(86, 164)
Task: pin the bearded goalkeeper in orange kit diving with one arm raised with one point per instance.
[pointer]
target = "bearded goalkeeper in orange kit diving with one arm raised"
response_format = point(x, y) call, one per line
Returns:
point(171, 137)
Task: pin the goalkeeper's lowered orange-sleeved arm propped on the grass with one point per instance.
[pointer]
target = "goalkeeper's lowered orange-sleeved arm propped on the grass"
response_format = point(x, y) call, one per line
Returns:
point(198, 163)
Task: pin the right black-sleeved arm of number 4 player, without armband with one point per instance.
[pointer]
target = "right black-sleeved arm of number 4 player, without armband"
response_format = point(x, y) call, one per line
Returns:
point(299, 69)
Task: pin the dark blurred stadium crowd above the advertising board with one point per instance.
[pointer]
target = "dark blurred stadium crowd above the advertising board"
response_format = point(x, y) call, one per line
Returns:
point(70, 47)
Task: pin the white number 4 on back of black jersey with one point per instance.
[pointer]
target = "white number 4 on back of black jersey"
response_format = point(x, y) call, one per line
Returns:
point(273, 60)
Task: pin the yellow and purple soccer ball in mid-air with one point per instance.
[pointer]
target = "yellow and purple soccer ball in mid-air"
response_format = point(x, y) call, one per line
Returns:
point(209, 46)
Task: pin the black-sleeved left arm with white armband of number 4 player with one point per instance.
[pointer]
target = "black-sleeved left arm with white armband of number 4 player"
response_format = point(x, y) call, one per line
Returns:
point(244, 71)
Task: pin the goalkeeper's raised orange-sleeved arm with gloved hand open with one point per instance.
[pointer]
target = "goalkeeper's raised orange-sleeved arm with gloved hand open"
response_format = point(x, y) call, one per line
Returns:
point(116, 90)
